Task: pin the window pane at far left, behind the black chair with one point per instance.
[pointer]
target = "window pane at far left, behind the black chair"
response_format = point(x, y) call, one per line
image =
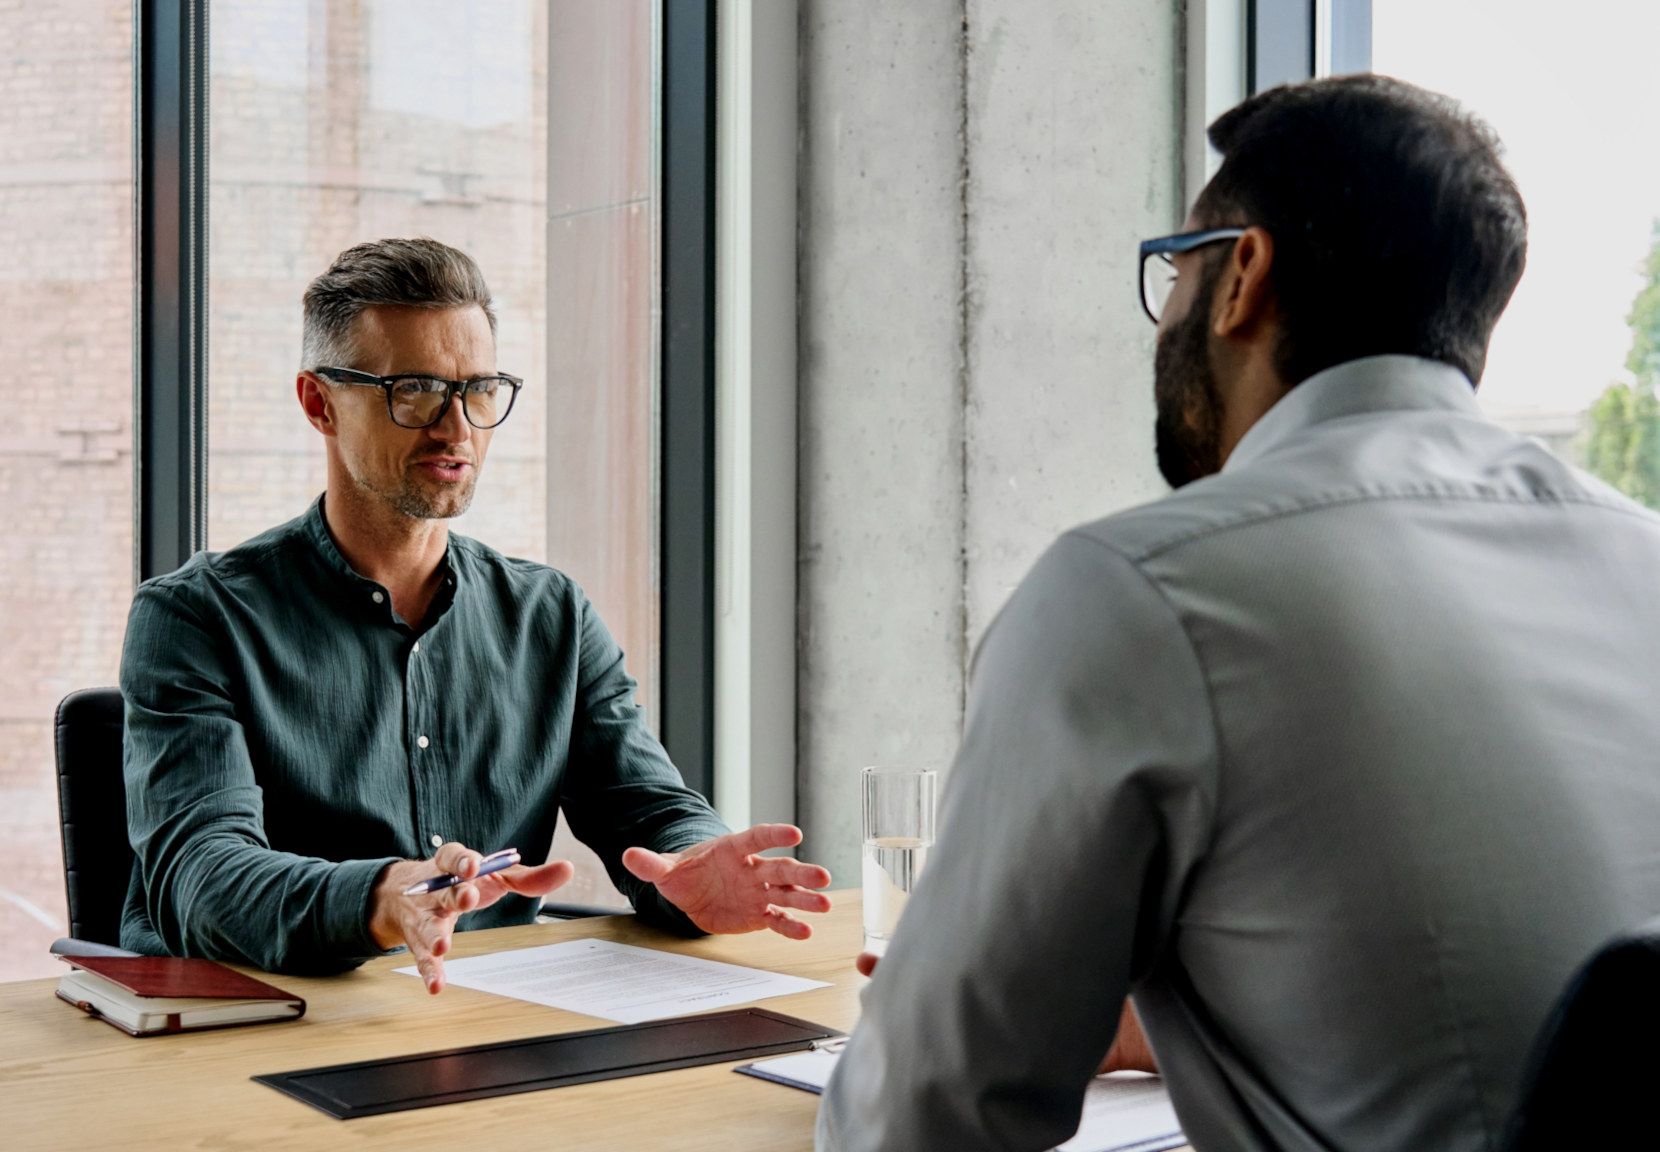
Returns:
point(66, 469)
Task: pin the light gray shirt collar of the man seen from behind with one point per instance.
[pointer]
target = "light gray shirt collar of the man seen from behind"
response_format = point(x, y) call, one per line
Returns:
point(1357, 388)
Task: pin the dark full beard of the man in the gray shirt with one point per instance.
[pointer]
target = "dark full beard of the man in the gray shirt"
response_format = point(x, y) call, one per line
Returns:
point(1188, 429)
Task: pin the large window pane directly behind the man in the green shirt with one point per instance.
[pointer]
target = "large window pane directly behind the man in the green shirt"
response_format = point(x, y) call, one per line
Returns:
point(346, 120)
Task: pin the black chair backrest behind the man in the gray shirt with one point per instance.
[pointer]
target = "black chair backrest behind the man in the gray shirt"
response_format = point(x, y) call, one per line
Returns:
point(1598, 1060)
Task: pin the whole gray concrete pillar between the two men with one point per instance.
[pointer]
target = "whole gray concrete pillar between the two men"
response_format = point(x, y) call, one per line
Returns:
point(975, 368)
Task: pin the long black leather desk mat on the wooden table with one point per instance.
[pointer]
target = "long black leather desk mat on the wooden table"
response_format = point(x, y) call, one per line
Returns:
point(371, 1088)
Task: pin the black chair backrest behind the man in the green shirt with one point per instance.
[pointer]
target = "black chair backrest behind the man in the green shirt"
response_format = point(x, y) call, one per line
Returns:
point(92, 813)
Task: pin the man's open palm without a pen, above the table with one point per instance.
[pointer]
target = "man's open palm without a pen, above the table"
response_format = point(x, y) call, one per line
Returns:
point(726, 887)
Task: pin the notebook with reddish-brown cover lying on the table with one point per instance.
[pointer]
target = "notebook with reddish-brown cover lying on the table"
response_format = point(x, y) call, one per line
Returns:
point(150, 995)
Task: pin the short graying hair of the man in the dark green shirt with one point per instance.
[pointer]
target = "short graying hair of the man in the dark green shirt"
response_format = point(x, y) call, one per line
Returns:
point(414, 275)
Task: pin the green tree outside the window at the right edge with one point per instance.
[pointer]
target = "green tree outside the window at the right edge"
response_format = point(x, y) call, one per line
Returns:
point(1624, 436)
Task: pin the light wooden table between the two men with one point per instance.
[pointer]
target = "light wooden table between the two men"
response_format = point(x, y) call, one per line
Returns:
point(69, 1081)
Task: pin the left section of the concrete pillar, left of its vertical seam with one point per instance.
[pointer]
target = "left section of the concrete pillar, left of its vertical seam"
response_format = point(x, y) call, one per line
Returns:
point(881, 411)
